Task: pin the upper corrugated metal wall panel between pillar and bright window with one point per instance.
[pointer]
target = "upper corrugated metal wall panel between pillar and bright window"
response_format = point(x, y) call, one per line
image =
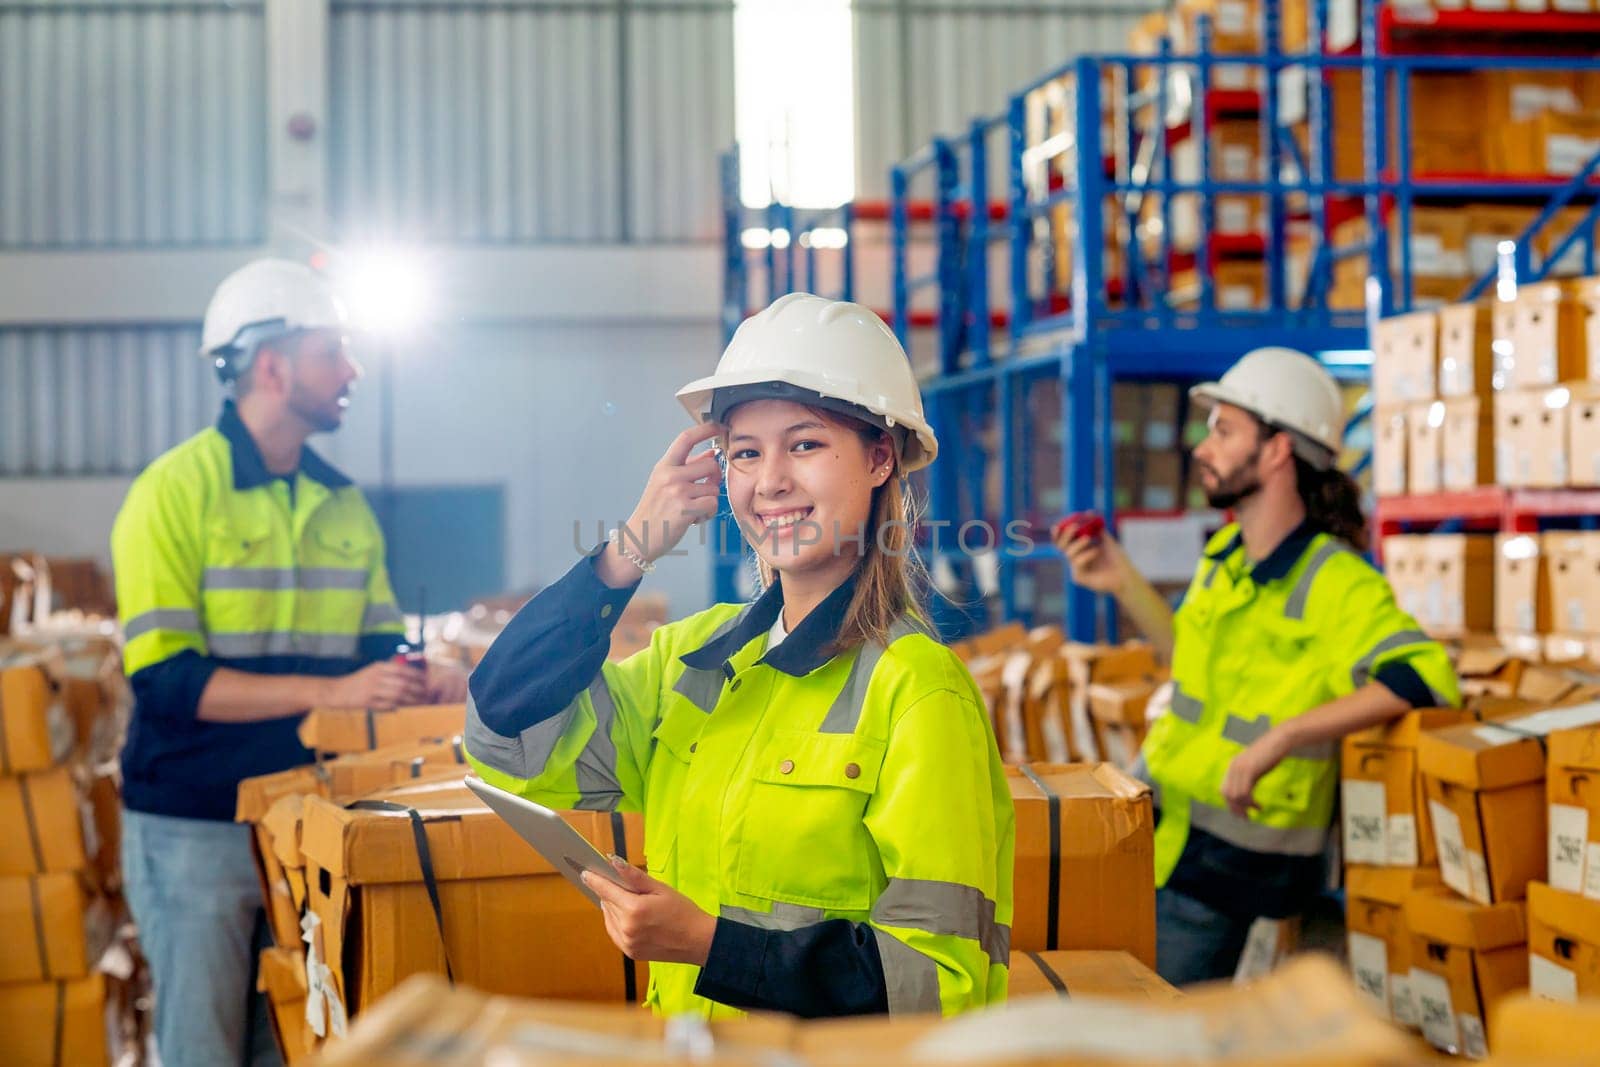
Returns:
point(530, 121)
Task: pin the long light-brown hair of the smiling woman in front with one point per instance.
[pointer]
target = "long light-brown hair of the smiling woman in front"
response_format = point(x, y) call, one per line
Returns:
point(890, 578)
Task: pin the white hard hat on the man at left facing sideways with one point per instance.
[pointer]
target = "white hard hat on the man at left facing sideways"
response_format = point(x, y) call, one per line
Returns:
point(270, 294)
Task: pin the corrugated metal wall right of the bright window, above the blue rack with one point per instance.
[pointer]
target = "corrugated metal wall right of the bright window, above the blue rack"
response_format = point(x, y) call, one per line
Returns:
point(927, 68)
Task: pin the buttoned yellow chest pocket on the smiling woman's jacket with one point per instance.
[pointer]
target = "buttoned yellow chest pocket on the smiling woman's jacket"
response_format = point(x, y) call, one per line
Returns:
point(804, 834)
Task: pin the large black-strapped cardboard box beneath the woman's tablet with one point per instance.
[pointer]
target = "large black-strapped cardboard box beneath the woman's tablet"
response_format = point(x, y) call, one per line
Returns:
point(502, 905)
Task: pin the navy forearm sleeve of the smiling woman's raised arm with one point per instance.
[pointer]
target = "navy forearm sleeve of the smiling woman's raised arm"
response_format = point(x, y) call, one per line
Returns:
point(550, 652)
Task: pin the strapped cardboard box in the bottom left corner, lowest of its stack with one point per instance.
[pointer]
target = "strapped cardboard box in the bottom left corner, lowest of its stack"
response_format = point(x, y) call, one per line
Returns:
point(52, 1025)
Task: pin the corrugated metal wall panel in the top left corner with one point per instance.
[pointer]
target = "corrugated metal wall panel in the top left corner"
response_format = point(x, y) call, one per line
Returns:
point(132, 126)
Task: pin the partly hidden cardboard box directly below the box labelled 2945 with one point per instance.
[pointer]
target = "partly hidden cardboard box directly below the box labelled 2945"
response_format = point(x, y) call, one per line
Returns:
point(1378, 938)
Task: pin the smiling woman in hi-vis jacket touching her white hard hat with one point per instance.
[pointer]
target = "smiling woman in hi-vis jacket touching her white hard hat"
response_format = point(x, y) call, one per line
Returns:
point(828, 823)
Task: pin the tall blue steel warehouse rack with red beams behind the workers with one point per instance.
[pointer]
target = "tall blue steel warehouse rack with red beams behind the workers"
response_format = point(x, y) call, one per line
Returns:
point(1103, 172)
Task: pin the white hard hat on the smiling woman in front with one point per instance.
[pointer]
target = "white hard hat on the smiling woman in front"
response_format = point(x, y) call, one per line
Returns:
point(828, 354)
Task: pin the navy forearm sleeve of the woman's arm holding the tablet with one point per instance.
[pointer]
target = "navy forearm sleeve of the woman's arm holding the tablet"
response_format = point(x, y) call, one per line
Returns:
point(830, 969)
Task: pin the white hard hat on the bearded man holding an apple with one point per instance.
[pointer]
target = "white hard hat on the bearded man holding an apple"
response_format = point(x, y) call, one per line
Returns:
point(1289, 391)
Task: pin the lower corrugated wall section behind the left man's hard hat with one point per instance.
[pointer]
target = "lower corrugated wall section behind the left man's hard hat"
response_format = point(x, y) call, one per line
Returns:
point(100, 401)
